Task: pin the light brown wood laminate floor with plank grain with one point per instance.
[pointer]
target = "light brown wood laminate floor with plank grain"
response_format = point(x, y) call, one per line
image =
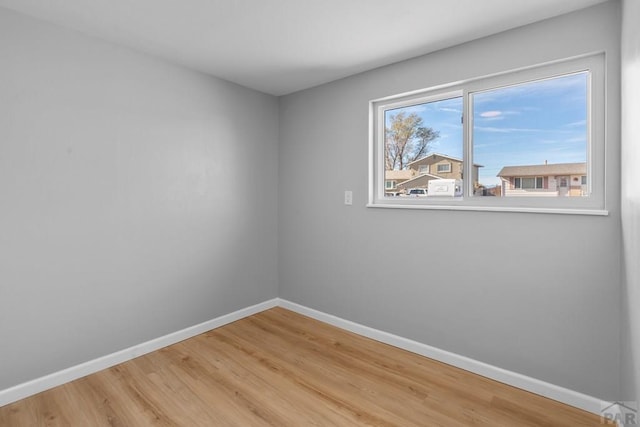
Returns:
point(278, 368)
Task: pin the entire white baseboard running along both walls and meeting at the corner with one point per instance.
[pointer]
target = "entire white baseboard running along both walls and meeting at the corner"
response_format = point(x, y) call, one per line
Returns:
point(561, 394)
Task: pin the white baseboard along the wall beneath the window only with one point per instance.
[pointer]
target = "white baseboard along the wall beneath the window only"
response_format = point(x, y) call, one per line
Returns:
point(542, 388)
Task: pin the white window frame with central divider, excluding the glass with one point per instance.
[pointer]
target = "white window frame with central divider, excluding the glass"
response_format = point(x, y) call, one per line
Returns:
point(594, 203)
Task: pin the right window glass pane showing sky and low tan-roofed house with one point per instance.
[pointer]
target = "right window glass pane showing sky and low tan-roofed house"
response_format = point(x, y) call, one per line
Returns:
point(536, 129)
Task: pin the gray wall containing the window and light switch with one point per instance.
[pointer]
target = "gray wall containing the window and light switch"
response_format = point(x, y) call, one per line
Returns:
point(537, 294)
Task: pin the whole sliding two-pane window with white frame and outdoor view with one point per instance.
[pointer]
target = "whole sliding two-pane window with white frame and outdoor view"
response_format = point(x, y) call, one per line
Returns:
point(515, 135)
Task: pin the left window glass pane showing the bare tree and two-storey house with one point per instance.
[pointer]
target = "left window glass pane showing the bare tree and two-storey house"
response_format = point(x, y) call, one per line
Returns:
point(419, 136)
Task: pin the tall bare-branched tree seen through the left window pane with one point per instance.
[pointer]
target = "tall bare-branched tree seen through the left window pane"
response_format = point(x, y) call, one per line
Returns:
point(406, 140)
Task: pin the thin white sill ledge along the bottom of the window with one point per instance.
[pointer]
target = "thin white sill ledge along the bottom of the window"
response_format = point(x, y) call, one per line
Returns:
point(561, 211)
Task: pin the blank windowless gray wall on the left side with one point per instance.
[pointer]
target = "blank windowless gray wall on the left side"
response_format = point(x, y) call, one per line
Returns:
point(137, 198)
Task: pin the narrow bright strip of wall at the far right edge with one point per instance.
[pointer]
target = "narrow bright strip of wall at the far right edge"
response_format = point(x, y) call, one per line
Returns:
point(630, 372)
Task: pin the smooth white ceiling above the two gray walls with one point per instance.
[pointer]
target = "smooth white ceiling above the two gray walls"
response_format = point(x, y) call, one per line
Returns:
point(282, 46)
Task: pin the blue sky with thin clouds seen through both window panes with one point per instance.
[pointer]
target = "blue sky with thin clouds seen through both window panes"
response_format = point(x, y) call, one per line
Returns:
point(517, 125)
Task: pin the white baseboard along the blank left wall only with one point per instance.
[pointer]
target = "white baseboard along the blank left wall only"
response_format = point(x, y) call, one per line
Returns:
point(55, 379)
